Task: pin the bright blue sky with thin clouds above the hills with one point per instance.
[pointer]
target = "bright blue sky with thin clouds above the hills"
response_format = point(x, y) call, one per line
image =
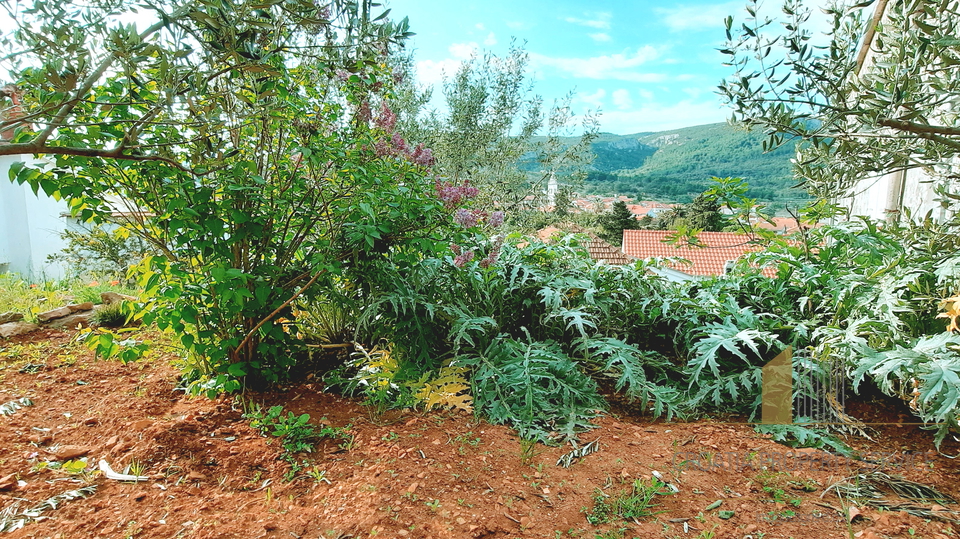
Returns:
point(647, 66)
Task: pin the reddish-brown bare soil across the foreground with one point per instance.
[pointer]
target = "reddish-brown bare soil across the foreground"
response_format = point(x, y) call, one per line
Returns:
point(431, 475)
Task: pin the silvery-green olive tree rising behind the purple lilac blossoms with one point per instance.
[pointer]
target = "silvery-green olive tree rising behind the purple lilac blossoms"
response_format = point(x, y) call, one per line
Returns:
point(495, 134)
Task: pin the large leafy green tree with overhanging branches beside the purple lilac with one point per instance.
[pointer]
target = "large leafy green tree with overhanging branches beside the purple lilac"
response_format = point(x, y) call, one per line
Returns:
point(251, 142)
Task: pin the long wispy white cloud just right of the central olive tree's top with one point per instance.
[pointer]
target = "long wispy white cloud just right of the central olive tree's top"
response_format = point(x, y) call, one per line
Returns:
point(621, 66)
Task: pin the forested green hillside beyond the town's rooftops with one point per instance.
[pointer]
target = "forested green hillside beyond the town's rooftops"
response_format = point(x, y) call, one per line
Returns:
point(677, 164)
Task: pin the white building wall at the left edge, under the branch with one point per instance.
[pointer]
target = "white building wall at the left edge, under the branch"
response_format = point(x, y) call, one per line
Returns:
point(30, 227)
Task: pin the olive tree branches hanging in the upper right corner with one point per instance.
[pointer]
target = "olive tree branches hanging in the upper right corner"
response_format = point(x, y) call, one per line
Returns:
point(878, 93)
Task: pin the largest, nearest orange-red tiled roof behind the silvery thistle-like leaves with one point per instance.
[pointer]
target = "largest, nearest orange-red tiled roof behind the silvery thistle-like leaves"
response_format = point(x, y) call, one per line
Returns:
point(717, 249)
